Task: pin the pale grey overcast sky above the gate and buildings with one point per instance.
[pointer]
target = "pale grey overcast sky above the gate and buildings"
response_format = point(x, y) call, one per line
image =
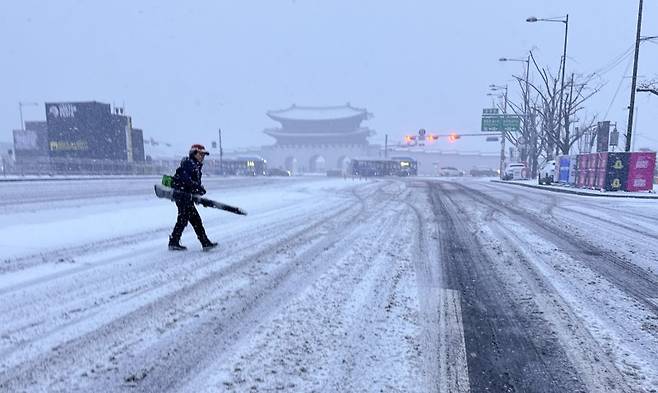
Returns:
point(183, 69)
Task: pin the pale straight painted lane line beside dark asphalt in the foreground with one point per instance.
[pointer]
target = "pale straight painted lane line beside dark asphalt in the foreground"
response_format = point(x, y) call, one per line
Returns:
point(453, 366)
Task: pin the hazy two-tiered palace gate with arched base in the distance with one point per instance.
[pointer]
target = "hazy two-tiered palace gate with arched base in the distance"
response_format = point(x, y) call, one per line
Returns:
point(317, 139)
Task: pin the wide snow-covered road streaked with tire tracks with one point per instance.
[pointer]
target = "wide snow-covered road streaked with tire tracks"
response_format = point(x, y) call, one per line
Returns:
point(410, 285)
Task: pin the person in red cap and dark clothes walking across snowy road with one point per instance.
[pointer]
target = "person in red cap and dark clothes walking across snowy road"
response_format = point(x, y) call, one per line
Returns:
point(188, 180)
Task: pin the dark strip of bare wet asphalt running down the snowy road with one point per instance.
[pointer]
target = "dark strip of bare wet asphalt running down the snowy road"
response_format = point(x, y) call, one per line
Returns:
point(507, 351)
